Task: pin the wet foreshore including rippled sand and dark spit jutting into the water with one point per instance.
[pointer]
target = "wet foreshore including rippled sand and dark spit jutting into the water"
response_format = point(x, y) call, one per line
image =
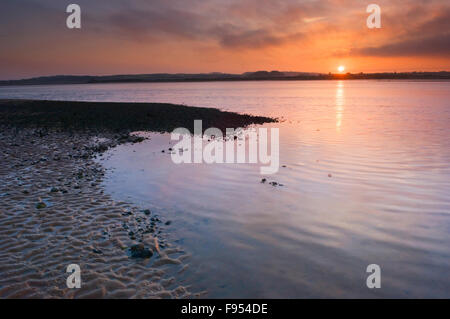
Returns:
point(54, 211)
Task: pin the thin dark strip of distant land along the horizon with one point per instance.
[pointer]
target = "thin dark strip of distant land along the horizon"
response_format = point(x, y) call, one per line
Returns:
point(249, 76)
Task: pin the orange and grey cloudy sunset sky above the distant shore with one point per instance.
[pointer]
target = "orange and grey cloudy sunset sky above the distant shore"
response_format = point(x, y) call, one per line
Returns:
point(232, 36)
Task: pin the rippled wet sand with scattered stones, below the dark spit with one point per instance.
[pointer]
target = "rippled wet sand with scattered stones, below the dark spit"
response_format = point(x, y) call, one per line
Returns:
point(79, 225)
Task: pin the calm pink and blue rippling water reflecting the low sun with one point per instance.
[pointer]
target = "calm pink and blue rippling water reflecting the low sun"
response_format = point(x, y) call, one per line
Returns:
point(386, 145)
